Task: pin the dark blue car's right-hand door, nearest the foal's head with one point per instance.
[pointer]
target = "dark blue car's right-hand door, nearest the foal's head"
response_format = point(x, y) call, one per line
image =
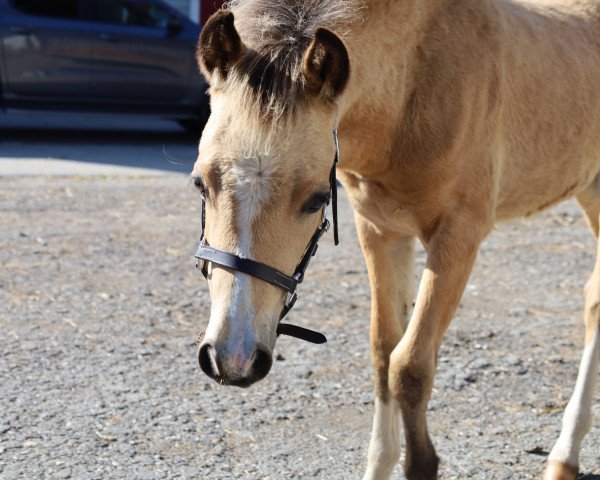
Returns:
point(143, 53)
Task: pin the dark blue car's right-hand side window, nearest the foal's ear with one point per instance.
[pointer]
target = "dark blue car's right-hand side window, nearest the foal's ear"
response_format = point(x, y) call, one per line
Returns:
point(131, 12)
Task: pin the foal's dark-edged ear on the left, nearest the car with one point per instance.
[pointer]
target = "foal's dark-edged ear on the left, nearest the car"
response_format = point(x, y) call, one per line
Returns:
point(219, 46)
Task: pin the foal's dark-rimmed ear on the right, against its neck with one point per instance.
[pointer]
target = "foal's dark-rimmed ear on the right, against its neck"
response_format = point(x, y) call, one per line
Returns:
point(326, 66)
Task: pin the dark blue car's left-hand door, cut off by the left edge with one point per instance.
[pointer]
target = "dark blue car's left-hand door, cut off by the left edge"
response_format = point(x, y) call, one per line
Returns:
point(46, 49)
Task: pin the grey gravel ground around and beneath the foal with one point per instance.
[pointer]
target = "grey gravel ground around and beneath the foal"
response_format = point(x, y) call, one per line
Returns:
point(100, 303)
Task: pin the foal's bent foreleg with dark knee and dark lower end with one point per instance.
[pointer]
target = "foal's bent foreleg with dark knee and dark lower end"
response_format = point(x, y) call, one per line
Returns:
point(451, 254)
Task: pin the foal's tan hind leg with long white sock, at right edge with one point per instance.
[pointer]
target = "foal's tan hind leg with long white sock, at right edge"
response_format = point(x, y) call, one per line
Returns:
point(563, 461)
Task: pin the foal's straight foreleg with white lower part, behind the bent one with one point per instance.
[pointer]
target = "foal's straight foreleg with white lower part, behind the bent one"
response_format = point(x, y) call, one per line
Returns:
point(390, 263)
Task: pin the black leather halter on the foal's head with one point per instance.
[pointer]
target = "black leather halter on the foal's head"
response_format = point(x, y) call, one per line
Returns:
point(206, 253)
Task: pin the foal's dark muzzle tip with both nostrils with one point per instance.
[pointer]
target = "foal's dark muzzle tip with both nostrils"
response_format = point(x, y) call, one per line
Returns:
point(234, 368)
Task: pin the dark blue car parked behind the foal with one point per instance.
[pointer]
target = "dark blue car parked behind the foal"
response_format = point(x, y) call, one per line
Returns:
point(132, 56)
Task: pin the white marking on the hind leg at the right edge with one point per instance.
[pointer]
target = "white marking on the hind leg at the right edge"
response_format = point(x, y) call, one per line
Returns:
point(577, 418)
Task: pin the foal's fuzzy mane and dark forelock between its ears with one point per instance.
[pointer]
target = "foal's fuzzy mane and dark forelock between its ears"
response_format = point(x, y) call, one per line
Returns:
point(276, 34)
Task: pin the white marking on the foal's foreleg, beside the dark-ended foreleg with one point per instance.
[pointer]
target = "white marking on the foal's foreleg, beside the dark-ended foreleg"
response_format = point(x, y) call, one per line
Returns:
point(384, 448)
